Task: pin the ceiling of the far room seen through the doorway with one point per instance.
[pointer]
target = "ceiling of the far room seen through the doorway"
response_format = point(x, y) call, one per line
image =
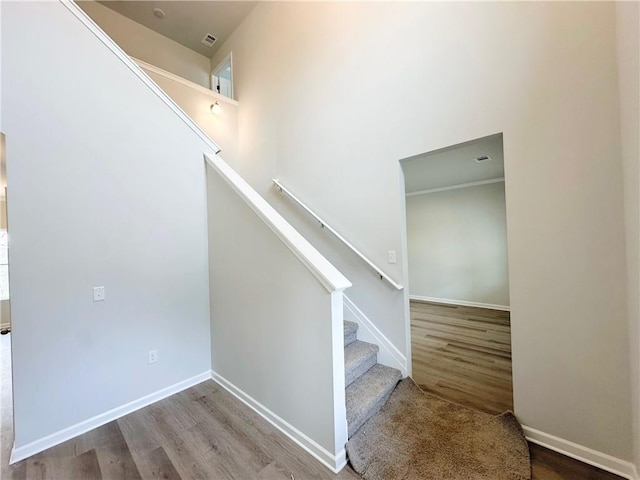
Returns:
point(454, 165)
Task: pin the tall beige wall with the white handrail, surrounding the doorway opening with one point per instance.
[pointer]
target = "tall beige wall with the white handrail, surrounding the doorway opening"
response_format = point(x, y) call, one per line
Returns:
point(333, 94)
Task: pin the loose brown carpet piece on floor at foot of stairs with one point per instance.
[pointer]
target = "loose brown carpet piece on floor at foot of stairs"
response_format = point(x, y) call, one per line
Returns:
point(418, 436)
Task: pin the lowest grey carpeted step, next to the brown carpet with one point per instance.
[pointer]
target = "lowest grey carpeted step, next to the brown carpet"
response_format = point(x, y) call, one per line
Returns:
point(368, 394)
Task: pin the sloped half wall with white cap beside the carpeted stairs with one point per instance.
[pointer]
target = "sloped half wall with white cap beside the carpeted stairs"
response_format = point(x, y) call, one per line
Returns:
point(277, 317)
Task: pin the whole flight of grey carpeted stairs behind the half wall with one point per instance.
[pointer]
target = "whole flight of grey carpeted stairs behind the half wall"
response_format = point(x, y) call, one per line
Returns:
point(368, 384)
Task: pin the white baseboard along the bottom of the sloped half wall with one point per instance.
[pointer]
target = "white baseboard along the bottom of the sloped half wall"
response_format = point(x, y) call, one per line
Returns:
point(333, 463)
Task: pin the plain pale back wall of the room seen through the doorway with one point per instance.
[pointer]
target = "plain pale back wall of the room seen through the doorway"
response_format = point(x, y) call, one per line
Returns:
point(457, 241)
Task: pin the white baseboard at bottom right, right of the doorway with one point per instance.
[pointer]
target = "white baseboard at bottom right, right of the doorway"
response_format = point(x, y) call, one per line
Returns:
point(584, 454)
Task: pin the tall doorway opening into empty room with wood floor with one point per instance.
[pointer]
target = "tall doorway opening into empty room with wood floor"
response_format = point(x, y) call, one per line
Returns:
point(458, 277)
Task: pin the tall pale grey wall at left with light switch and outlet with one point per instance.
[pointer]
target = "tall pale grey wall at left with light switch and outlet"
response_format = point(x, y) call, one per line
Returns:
point(106, 188)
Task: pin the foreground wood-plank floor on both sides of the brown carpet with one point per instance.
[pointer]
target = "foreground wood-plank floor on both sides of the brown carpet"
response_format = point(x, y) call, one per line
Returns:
point(200, 433)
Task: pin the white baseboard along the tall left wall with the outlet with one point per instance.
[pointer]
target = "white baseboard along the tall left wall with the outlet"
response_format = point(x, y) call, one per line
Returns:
point(25, 451)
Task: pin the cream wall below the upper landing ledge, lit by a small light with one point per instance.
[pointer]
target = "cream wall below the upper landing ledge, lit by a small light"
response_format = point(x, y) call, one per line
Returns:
point(197, 104)
